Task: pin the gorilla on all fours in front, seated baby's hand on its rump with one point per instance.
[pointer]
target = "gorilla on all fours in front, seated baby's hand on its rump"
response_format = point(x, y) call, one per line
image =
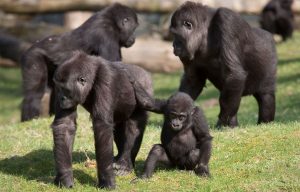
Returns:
point(104, 90)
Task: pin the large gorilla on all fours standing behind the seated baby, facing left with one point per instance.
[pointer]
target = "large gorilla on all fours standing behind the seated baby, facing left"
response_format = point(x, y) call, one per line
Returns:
point(237, 59)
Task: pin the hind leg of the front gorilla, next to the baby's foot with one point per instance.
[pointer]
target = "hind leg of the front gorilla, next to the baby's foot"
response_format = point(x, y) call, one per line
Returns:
point(131, 142)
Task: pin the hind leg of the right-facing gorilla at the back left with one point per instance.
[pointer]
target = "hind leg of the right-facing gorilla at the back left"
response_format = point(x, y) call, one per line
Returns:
point(34, 72)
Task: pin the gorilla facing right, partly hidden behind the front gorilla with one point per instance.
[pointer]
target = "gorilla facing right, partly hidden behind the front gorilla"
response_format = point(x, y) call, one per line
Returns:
point(102, 34)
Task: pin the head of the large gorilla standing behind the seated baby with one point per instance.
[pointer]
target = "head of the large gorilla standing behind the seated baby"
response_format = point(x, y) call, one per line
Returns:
point(189, 26)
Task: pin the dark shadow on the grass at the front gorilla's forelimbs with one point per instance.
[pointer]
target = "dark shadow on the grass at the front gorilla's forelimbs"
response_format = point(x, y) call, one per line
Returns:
point(39, 165)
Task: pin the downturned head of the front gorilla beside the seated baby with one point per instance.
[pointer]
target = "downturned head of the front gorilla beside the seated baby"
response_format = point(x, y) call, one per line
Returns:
point(73, 80)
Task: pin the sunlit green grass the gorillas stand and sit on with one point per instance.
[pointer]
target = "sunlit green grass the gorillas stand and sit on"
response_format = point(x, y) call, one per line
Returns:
point(248, 158)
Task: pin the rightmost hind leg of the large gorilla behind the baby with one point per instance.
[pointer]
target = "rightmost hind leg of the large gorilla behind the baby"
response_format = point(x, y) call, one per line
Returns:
point(266, 105)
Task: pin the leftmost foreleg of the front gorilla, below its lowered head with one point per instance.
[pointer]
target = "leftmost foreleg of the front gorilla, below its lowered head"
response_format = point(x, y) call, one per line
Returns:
point(64, 129)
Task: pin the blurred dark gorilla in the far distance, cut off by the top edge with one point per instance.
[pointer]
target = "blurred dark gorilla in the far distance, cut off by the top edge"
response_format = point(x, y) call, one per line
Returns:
point(277, 18)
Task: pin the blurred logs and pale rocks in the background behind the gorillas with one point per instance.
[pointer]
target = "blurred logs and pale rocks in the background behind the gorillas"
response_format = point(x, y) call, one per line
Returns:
point(31, 20)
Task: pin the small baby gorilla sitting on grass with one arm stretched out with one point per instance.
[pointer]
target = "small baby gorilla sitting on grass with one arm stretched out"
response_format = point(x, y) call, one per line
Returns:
point(185, 138)
